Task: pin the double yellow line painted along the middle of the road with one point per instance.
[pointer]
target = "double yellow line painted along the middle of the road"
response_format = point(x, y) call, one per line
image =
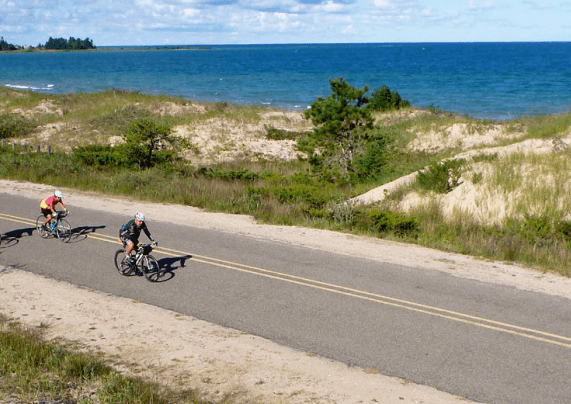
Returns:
point(350, 292)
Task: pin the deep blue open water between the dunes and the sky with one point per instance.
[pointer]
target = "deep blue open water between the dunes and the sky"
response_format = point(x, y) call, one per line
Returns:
point(482, 80)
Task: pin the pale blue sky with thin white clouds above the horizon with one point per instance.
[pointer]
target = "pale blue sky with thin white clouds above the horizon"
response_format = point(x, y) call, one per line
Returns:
point(168, 22)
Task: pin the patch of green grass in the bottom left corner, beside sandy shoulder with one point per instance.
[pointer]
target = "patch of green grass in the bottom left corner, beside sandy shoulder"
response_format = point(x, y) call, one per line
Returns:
point(34, 370)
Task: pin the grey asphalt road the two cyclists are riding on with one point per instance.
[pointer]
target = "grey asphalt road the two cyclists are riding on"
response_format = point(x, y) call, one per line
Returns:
point(489, 343)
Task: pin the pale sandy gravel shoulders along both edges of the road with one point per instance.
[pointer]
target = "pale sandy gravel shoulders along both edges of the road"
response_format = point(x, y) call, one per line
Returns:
point(219, 361)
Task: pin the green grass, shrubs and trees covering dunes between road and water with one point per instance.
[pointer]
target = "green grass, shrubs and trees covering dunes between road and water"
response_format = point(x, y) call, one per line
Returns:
point(313, 190)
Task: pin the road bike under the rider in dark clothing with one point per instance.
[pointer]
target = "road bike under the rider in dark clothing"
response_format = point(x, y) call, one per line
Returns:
point(139, 262)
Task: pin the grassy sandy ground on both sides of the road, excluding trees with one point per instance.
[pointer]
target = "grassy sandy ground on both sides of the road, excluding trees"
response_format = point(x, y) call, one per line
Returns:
point(518, 211)
